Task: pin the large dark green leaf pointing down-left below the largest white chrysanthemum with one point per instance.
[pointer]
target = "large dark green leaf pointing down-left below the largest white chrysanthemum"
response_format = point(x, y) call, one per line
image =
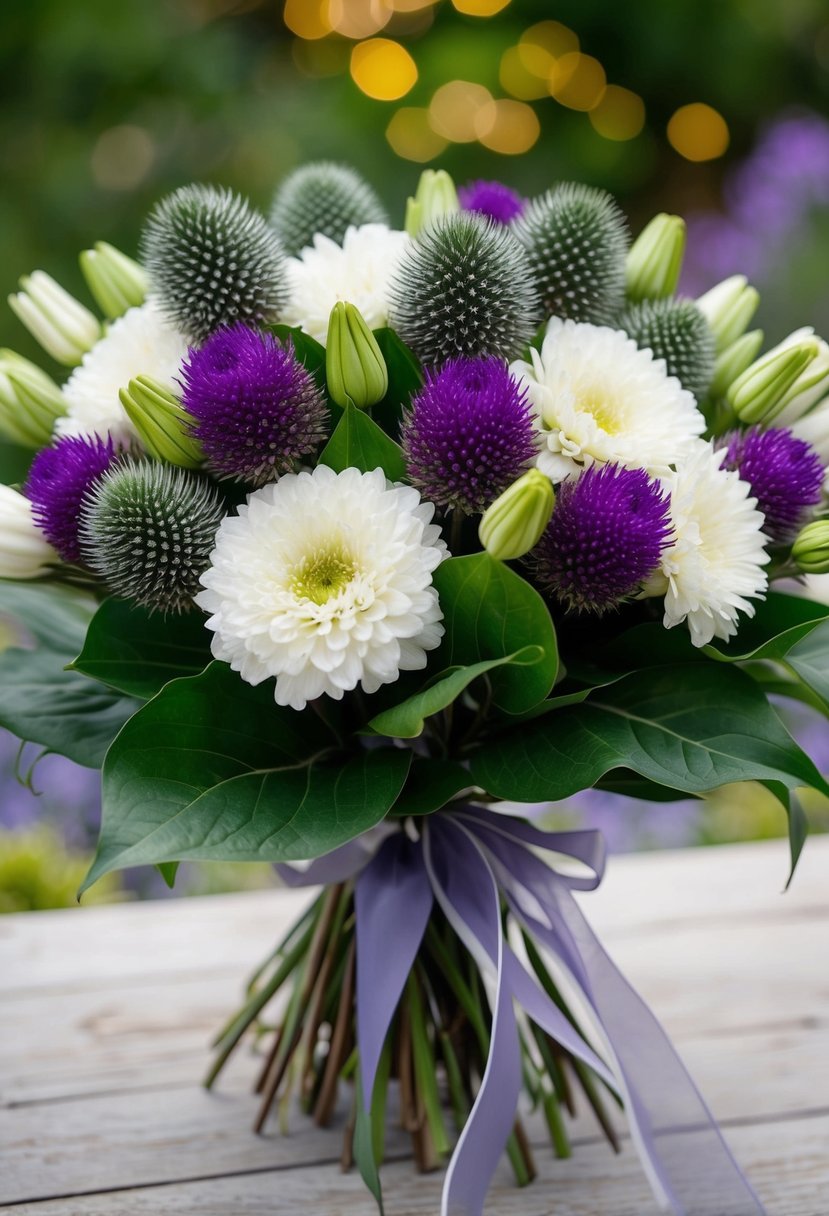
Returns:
point(215, 770)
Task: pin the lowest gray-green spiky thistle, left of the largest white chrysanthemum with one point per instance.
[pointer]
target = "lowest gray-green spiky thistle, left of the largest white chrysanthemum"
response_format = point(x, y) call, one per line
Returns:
point(149, 530)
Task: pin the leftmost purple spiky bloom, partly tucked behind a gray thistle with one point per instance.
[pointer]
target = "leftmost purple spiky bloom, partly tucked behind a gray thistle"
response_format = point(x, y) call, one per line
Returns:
point(59, 482)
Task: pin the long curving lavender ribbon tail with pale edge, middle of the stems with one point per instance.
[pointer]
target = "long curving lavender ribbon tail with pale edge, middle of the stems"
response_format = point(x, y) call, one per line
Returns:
point(493, 1116)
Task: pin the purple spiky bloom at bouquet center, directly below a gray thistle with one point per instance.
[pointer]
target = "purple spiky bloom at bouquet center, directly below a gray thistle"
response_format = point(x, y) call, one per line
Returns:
point(469, 435)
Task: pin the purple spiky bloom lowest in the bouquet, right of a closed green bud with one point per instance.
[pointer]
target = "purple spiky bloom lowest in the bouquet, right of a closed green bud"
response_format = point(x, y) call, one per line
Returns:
point(606, 537)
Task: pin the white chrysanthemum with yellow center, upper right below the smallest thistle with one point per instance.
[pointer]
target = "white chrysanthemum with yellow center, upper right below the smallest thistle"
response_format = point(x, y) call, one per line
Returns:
point(600, 399)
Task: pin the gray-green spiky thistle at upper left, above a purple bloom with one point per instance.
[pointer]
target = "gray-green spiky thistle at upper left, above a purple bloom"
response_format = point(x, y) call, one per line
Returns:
point(213, 261)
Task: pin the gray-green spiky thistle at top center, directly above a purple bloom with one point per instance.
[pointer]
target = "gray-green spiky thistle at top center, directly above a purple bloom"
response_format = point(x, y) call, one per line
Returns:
point(465, 288)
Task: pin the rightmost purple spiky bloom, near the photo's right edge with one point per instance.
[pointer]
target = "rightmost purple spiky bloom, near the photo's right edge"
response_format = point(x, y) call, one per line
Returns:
point(786, 476)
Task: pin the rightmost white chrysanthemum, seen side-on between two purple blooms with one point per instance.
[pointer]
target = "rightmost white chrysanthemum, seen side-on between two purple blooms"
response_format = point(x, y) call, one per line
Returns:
point(715, 565)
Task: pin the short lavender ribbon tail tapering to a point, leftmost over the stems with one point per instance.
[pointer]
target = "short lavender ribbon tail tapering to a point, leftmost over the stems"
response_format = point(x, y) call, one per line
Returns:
point(393, 903)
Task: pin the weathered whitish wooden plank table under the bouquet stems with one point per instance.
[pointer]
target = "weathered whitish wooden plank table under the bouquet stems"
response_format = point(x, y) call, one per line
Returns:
point(106, 1016)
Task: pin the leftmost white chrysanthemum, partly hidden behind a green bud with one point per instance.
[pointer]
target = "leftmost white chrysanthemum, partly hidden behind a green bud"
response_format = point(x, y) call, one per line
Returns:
point(139, 344)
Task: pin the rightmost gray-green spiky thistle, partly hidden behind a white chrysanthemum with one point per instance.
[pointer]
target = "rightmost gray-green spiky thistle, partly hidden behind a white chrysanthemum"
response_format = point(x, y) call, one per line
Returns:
point(678, 333)
